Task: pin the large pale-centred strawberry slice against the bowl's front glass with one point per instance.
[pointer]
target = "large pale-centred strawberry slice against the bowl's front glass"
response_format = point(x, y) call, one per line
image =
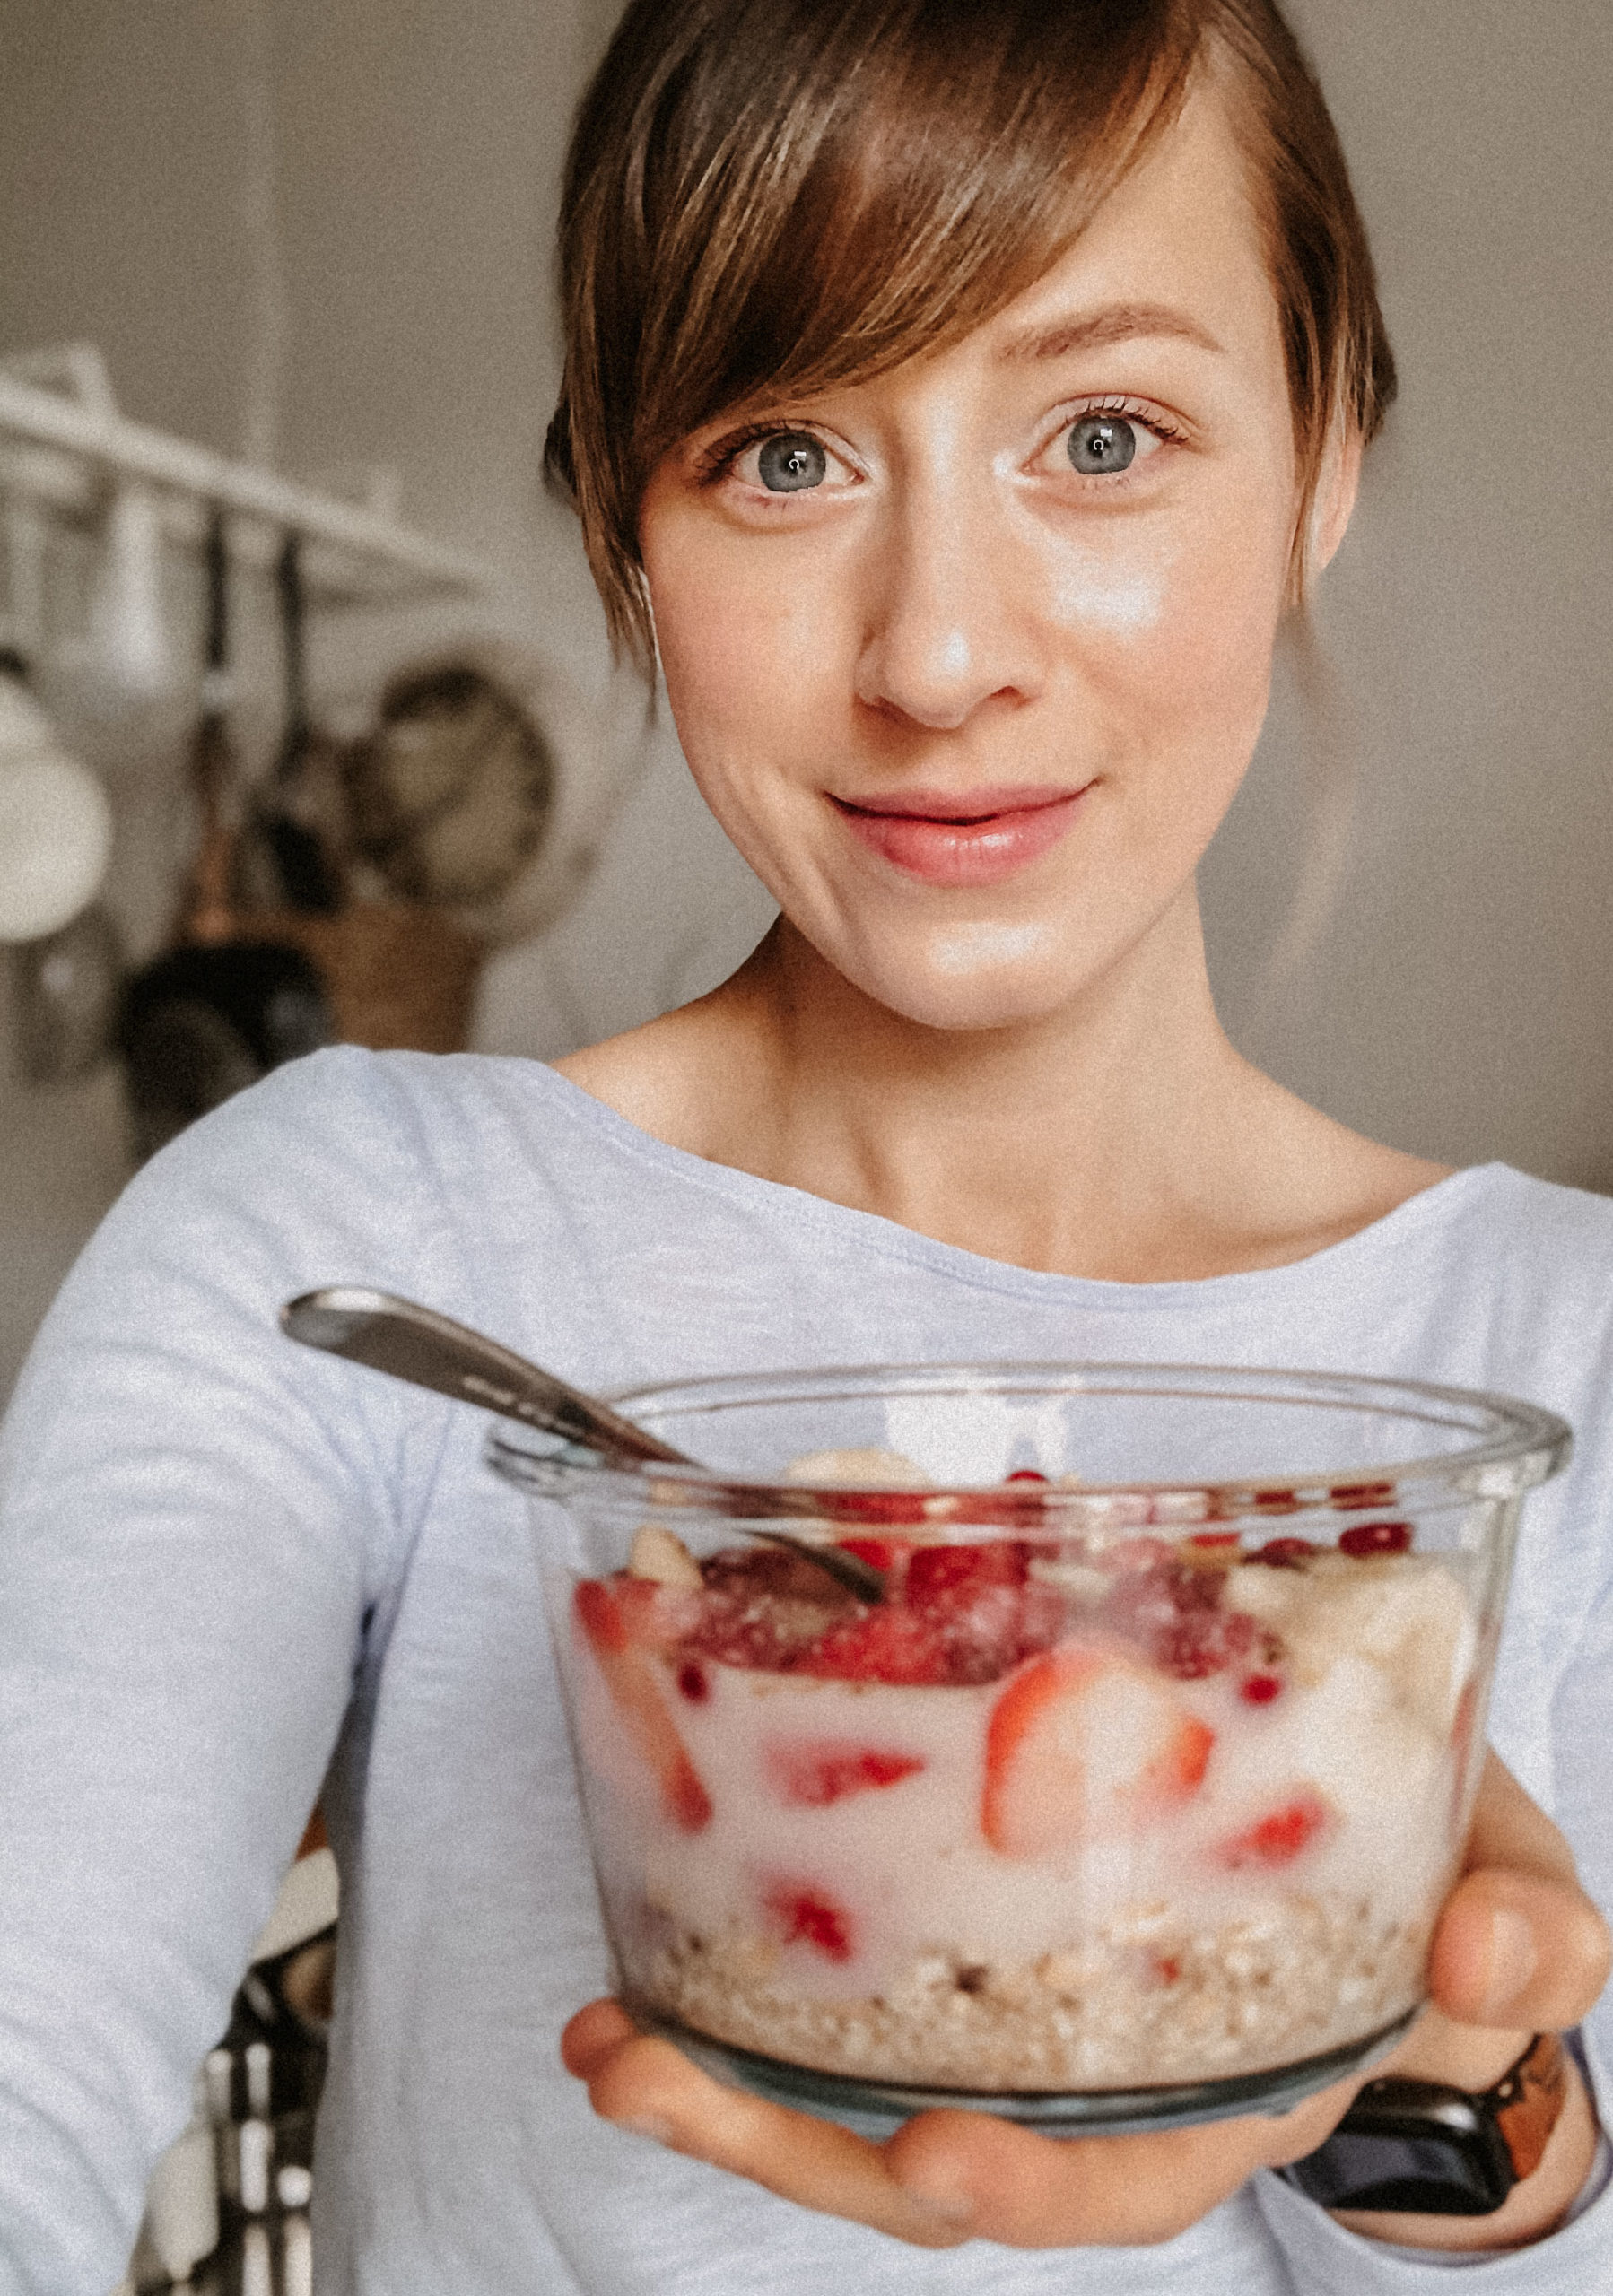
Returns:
point(1086, 1744)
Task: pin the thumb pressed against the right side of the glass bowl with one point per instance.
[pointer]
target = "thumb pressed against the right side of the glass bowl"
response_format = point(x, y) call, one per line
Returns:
point(1518, 1944)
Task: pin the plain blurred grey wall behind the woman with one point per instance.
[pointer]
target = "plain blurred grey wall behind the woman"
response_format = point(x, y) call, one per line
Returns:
point(1444, 782)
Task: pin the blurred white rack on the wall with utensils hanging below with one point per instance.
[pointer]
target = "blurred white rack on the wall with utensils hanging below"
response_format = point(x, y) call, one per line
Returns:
point(63, 447)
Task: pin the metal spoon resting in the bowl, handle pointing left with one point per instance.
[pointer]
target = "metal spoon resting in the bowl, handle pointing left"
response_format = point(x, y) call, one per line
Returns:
point(431, 1351)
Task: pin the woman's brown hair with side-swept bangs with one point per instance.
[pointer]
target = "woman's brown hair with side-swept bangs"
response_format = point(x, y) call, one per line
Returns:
point(778, 196)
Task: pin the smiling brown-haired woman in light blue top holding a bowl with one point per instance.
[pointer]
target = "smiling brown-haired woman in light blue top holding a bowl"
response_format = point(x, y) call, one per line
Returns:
point(959, 396)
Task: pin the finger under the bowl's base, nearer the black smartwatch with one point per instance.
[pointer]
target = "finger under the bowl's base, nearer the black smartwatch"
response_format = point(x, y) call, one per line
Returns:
point(1031, 2192)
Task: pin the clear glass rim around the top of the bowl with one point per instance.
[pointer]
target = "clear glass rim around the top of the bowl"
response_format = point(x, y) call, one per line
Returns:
point(1522, 1448)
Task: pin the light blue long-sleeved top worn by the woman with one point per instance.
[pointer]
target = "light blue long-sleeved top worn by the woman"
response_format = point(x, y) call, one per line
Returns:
point(236, 1574)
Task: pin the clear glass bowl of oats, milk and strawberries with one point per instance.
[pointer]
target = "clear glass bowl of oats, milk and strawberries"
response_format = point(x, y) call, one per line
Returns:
point(1127, 1790)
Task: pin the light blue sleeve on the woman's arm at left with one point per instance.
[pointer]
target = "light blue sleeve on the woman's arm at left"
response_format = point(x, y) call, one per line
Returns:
point(190, 1549)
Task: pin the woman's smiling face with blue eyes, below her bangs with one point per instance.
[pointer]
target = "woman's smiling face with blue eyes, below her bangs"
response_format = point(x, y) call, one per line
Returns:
point(971, 660)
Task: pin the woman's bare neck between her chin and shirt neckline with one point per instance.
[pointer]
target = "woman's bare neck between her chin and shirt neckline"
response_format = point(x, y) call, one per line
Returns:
point(1058, 1142)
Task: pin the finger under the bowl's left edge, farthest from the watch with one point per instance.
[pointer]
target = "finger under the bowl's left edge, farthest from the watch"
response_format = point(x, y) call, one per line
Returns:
point(651, 2088)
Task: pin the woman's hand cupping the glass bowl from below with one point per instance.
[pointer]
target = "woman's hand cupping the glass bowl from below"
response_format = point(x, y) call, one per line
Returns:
point(1518, 1948)
